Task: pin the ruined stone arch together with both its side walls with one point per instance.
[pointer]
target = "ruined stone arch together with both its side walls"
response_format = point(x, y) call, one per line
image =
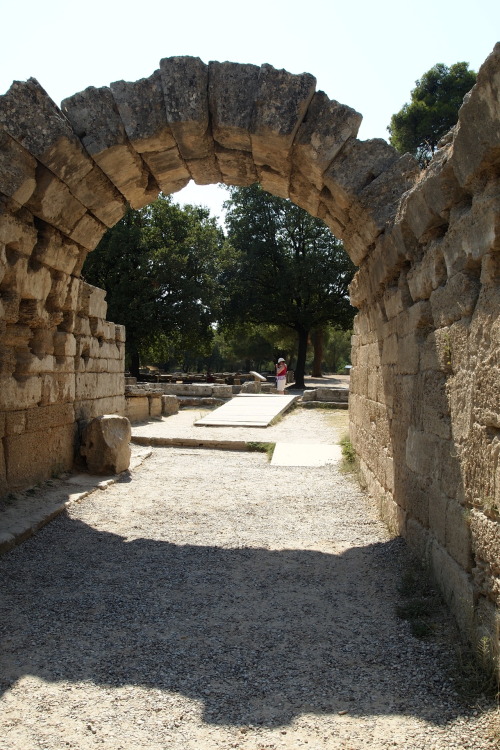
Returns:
point(425, 396)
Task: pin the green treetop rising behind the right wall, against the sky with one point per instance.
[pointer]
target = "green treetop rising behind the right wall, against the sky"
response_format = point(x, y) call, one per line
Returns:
point(432, 111)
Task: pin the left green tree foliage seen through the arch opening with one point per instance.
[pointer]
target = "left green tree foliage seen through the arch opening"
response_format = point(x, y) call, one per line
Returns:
point(158, 266)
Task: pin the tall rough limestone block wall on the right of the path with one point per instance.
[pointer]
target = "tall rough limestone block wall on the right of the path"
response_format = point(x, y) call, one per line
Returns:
point(425, 385)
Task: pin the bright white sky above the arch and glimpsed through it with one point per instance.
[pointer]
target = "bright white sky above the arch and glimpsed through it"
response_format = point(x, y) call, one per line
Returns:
point(363, 53)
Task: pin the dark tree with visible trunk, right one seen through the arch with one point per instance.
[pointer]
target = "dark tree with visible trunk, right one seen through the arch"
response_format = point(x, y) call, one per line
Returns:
point(286, 269)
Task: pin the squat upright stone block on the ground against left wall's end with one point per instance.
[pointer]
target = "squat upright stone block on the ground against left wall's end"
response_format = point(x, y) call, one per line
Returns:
point(106, 444)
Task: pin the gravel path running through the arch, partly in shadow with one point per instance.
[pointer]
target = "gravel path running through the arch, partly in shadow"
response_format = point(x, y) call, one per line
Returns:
point(213, 601)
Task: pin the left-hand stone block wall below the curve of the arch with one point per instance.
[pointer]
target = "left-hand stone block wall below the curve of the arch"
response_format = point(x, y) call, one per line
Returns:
point(54, 377)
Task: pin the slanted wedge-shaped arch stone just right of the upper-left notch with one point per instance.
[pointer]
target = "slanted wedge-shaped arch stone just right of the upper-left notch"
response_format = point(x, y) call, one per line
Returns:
point(95, 119)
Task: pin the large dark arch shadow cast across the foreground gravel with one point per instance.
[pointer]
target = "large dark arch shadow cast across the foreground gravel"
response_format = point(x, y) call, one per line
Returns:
point(256, 636)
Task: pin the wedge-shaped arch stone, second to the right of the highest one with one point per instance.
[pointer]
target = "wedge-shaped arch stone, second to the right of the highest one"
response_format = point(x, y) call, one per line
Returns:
point(281, 102)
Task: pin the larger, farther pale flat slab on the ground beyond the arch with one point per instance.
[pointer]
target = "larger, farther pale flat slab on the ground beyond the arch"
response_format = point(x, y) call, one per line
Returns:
point(247, 410)
